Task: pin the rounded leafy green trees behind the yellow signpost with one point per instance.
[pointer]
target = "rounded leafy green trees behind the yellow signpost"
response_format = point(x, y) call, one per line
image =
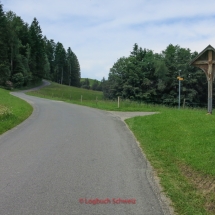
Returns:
point(151, 77)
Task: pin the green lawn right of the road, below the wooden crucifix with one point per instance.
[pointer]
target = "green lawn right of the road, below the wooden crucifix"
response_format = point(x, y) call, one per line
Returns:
point(180, 145)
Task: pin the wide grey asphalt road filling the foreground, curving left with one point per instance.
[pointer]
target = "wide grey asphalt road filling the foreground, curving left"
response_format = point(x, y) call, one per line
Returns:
point(65, 156)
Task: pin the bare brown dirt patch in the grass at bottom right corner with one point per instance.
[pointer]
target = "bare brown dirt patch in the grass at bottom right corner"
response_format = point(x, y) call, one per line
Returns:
point(205, 184)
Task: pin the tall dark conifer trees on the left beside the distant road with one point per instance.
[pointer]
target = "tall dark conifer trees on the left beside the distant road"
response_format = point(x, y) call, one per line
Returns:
point(26, 56)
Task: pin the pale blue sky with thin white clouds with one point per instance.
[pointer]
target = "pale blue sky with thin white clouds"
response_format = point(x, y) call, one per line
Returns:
point(99, 32)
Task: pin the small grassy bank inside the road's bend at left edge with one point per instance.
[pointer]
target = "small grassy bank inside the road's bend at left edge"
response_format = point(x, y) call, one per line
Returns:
point(17, 111)
